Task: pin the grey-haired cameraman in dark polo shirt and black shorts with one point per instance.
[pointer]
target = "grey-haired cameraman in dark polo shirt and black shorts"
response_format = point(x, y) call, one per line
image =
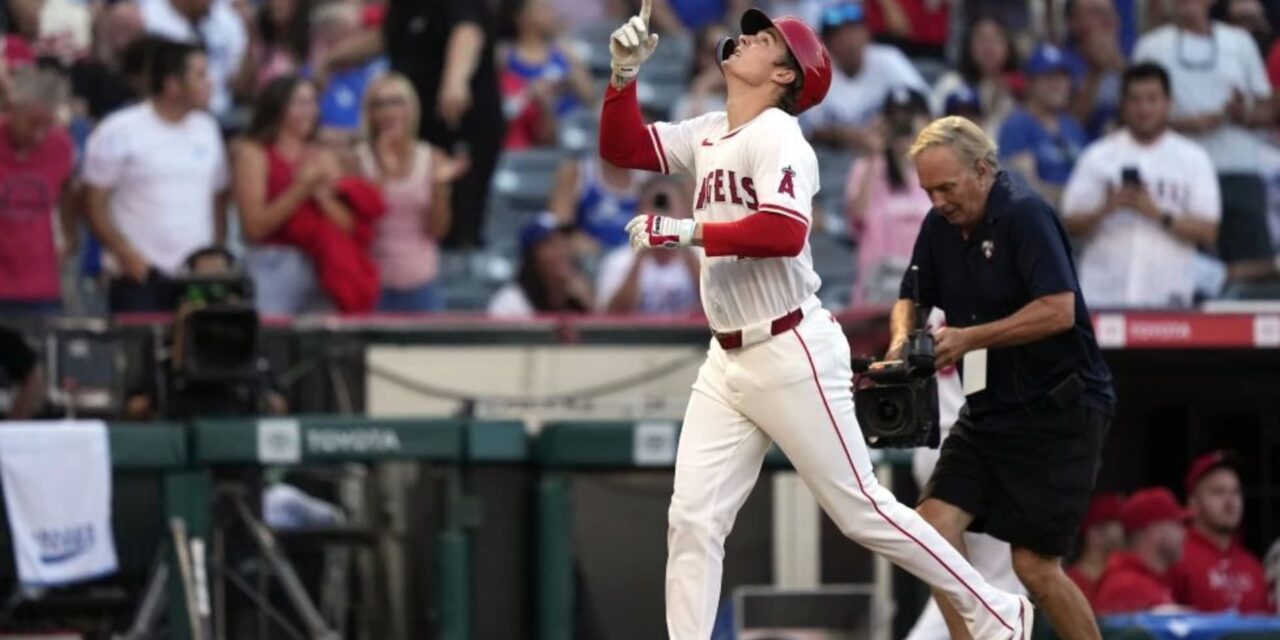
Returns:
point(1022, 460)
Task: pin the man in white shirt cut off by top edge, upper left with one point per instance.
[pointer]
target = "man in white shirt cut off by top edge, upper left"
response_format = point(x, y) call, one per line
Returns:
point(211, 25)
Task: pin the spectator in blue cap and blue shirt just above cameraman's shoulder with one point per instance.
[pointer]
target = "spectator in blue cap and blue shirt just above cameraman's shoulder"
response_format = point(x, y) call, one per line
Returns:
point(1043, 141)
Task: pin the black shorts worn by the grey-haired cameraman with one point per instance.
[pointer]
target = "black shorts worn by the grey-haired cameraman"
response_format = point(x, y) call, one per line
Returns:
point(1028, 486)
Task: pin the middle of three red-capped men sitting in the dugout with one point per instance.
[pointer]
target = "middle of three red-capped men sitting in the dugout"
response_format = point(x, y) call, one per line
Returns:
point(1137, 580)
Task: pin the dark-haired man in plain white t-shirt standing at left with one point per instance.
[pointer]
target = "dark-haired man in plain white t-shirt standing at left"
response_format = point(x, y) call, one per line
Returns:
point(157, 176)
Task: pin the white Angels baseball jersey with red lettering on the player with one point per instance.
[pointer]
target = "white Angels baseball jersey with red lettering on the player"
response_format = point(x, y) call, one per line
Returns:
point(764, 166)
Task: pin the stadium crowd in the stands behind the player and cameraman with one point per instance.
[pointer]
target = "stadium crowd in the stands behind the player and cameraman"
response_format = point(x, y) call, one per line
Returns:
point(422, 157)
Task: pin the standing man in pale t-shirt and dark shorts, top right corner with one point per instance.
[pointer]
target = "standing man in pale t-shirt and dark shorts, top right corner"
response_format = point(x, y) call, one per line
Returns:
point(1222, 100)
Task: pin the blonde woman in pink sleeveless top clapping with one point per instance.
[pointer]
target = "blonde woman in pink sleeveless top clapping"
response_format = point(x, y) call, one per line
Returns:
point(415, 179)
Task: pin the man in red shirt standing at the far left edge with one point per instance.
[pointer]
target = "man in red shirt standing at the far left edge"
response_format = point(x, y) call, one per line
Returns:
point(35, 167)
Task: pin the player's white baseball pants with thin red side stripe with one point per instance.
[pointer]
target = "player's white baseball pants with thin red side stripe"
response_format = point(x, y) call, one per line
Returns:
point(796, 390)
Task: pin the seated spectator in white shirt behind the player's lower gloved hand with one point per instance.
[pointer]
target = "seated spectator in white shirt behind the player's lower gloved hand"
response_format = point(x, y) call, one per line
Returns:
point(655, 282)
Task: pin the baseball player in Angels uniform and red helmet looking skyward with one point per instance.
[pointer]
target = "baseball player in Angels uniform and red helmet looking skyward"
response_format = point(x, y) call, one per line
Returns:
point(779, 367)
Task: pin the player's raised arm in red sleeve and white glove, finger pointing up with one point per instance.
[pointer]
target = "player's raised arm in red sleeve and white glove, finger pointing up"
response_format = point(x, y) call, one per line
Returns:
point(625, 140)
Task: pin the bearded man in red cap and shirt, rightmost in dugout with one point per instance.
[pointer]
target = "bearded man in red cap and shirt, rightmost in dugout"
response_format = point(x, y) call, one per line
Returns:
point(1217, 573)
